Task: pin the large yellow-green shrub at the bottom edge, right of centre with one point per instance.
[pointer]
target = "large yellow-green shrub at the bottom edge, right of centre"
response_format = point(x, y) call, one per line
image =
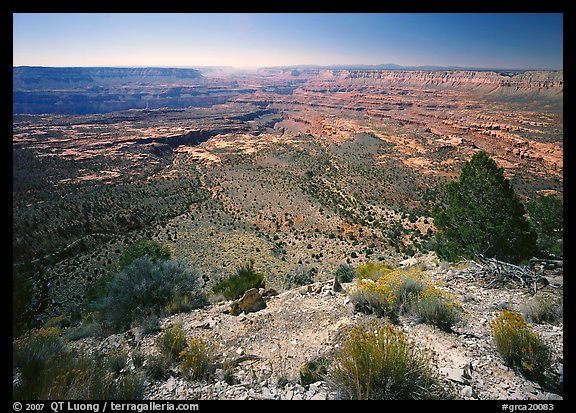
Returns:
point(379, 363)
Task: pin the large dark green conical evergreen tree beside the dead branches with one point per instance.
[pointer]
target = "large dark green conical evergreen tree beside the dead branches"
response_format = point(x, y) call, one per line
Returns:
point(481, 215)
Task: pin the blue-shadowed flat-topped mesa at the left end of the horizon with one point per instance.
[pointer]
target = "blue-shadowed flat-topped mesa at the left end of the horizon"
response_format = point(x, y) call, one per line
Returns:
point(86, 90)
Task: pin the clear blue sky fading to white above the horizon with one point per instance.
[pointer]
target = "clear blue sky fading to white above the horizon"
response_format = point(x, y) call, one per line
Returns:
point(502, 41)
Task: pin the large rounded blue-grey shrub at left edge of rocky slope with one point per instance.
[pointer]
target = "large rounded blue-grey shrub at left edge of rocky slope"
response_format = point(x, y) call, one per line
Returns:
point(145, 287)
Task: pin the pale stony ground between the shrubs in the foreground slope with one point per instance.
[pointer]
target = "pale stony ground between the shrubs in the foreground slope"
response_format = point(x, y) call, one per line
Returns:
point(298, 325)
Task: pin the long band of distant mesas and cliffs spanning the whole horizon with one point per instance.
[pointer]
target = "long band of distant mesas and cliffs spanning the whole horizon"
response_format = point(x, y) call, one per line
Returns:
point(86, 90)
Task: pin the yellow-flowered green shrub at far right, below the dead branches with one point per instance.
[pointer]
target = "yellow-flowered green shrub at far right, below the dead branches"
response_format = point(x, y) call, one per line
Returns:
point(520, 347)
